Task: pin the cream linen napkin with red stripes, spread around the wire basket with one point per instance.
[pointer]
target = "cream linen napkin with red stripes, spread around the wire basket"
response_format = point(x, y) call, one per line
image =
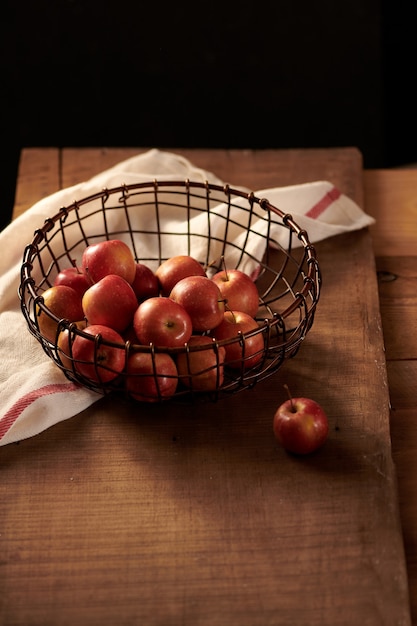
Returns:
point(34, 393)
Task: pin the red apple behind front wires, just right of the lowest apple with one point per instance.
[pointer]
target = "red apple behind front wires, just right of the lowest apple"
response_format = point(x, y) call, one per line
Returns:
point(201, 368)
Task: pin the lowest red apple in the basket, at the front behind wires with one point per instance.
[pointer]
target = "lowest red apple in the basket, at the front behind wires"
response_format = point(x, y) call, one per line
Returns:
point(151, 377)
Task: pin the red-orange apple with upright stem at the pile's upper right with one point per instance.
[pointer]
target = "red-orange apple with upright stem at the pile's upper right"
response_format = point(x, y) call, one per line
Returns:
point(239, 291)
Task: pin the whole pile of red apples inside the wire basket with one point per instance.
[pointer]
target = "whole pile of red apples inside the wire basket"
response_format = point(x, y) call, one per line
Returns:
point(118, 304)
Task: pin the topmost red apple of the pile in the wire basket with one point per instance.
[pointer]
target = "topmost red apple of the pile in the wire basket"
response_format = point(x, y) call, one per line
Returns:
point(112, 256)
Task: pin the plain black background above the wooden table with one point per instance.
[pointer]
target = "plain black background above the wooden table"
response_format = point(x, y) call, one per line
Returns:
point(269, 74)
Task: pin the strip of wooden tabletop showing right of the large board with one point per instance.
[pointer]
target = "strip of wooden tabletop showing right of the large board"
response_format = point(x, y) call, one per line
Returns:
point(391, 197)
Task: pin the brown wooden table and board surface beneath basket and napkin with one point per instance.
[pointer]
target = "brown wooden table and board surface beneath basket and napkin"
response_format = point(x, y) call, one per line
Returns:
point(197, 517)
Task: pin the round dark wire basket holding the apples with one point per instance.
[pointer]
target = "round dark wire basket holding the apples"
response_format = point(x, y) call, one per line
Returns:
point(219, 226)
